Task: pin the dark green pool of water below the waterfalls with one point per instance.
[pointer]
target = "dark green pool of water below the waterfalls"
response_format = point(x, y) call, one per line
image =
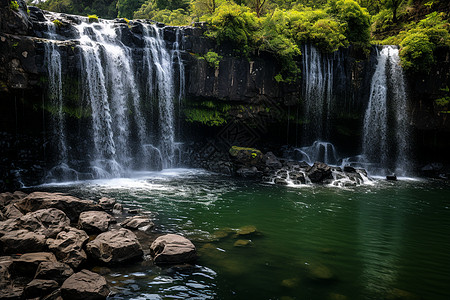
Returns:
point(388, 240)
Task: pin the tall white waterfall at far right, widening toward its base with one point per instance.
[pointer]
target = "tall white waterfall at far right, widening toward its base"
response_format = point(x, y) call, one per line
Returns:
point(386, 133)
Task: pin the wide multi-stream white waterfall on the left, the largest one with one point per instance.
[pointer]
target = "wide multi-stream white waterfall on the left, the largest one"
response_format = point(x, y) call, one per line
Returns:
point(130, 95)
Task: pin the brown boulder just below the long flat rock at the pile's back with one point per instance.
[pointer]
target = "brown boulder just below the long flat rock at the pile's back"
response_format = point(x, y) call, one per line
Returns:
point(48, 222)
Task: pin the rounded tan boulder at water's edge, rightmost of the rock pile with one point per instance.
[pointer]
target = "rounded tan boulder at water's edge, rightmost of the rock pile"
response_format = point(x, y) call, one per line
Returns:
point(172, 249)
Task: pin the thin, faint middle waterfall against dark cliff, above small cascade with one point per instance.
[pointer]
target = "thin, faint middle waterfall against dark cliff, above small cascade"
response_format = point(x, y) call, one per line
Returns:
point(317, 93)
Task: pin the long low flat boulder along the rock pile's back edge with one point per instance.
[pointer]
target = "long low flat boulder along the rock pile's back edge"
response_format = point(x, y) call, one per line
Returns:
point(70, 205)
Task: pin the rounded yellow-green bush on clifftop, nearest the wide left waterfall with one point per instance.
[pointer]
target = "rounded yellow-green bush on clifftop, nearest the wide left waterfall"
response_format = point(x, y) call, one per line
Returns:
point(234, 25)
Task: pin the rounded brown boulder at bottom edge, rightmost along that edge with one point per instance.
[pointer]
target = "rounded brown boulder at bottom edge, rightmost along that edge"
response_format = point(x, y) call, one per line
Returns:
point(85, 285)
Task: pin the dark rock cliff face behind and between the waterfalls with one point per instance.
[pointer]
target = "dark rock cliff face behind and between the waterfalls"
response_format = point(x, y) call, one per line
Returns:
point(239, 102)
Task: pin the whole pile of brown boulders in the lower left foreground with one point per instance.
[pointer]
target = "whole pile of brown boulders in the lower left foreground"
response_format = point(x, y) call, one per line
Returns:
point(48, 242)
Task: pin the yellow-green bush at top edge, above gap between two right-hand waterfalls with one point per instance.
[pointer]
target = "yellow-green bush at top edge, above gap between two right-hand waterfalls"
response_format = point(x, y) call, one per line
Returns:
point(356, 19)
